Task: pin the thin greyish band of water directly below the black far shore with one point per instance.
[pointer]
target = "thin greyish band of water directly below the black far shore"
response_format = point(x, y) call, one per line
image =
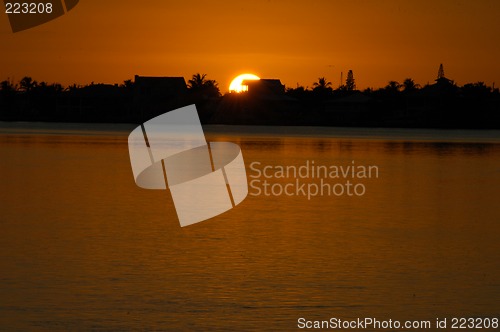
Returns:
point(255, 131)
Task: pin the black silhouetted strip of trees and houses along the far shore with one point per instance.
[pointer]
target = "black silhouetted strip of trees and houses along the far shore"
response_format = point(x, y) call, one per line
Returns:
point(442, 104)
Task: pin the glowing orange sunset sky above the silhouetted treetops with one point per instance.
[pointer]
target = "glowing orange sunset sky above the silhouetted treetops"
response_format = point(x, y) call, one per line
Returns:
point(297, 41)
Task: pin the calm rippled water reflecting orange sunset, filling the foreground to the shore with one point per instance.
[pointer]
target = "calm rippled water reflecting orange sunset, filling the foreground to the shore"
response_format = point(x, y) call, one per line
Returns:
point(82, 247)
